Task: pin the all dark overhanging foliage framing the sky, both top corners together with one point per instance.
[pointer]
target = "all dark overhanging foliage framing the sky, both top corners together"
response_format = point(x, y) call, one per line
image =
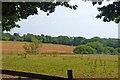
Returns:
point(12, 12)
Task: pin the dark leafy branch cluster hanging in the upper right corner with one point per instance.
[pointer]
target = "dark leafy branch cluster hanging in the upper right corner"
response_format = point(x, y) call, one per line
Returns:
point(110, 12)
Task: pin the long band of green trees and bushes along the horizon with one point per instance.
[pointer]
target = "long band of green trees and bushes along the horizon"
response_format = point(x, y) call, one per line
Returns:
point(92, 45)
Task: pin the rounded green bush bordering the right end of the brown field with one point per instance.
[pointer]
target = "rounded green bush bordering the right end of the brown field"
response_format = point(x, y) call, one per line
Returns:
point(84, 49)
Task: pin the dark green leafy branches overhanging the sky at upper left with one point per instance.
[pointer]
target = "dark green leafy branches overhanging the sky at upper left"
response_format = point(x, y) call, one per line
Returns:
point(13, 12)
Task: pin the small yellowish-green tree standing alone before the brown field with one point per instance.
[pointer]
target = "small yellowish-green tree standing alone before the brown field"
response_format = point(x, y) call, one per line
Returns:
point(32, 47)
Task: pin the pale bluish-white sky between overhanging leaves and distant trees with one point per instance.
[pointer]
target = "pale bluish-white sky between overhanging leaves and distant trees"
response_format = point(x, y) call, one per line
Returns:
point(64, 21)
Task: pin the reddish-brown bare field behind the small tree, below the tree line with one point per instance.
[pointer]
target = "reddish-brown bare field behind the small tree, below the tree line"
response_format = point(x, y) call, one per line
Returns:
point(17, 47)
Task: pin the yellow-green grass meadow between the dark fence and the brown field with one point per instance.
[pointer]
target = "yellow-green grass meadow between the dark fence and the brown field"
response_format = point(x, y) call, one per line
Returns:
point(83, 66)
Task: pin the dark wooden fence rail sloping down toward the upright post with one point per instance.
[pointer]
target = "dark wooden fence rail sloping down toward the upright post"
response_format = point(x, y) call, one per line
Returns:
point(31, 75)
